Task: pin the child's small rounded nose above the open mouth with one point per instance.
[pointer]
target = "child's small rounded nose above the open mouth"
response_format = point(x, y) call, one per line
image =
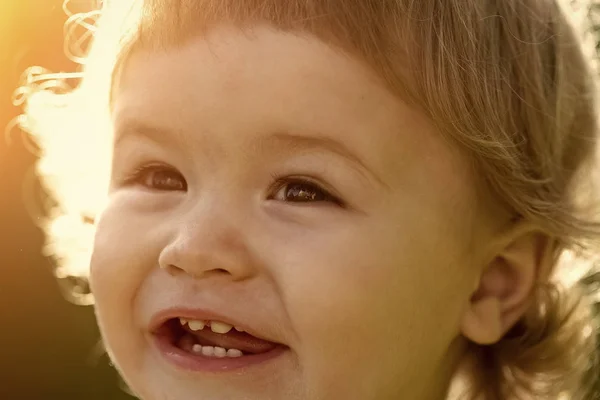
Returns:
point(207, 240)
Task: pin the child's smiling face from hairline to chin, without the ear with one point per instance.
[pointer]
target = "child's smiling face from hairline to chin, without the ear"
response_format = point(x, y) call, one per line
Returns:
point(291, 194)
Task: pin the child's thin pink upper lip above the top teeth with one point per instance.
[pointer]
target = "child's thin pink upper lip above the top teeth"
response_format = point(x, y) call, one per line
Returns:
point(159, 318)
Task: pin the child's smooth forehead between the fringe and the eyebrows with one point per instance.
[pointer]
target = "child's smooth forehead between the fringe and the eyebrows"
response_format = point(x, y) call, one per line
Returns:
point(264, 68)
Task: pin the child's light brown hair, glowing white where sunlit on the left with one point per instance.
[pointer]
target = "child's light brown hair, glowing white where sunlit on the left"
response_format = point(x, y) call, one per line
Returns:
point(507, 80)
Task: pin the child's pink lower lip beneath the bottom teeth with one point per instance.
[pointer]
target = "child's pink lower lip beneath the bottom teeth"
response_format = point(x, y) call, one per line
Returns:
point(191, 362)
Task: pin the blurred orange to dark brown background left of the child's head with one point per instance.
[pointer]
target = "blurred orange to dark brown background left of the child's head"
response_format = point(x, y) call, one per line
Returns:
point(48, 345)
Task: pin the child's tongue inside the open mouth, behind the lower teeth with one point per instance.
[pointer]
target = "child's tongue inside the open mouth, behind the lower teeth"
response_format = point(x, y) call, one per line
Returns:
point(233, 340)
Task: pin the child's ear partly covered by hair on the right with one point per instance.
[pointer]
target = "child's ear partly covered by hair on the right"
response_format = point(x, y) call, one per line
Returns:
point(519, 260)
